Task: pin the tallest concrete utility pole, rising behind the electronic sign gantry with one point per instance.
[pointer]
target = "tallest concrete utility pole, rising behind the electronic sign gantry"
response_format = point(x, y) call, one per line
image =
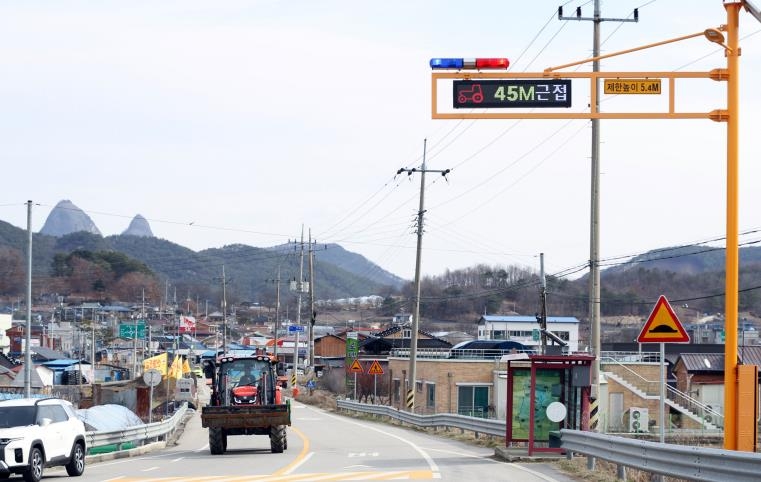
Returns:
point(594, 236)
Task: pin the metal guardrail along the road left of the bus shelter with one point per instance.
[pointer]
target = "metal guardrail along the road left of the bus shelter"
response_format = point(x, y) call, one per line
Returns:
point(450, 420)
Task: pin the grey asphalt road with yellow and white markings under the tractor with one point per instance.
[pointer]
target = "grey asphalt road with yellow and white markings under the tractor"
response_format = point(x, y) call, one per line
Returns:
point(321, 446)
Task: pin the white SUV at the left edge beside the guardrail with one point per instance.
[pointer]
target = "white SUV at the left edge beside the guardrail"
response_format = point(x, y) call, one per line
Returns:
point(40, 432)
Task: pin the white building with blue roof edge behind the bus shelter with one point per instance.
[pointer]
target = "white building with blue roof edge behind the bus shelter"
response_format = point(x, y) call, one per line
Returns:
point(525, 329)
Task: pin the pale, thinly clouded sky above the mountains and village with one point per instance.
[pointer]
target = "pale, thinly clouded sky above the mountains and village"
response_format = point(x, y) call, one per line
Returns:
point(239, 122)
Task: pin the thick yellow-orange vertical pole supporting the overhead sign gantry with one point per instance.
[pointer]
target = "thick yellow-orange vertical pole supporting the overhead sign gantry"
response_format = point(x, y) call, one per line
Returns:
point(732, 255)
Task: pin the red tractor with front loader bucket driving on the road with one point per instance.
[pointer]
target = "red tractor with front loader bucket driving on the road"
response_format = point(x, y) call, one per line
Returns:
point(245, 400)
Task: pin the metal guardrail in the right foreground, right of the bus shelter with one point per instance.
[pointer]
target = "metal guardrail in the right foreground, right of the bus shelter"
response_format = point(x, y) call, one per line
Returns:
point(681, 461)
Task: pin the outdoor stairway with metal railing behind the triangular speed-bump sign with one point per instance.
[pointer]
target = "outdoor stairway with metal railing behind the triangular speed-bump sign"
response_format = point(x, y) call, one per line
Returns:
point(700, 413)
